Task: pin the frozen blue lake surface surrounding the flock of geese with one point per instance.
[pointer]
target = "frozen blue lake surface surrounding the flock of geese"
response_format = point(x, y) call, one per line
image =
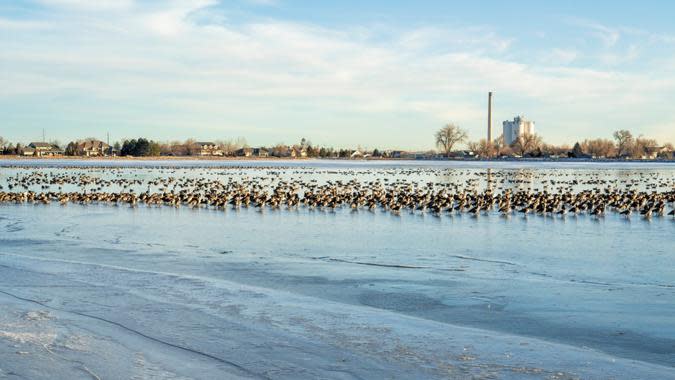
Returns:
point(156, 292)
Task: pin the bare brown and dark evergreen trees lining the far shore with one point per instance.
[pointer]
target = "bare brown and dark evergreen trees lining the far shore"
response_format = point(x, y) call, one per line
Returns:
point(623, 144)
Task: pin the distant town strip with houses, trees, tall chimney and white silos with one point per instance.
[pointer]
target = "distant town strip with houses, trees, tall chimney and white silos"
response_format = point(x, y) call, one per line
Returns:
point(518, 140)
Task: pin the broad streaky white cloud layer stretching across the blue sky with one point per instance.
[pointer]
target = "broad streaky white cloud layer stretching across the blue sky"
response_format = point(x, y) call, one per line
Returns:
point(158, 57)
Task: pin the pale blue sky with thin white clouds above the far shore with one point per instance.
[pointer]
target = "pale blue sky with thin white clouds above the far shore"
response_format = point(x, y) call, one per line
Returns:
point(375, 74)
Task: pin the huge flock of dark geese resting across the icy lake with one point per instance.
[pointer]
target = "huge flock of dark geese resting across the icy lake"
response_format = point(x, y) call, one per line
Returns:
point(404, 190)
